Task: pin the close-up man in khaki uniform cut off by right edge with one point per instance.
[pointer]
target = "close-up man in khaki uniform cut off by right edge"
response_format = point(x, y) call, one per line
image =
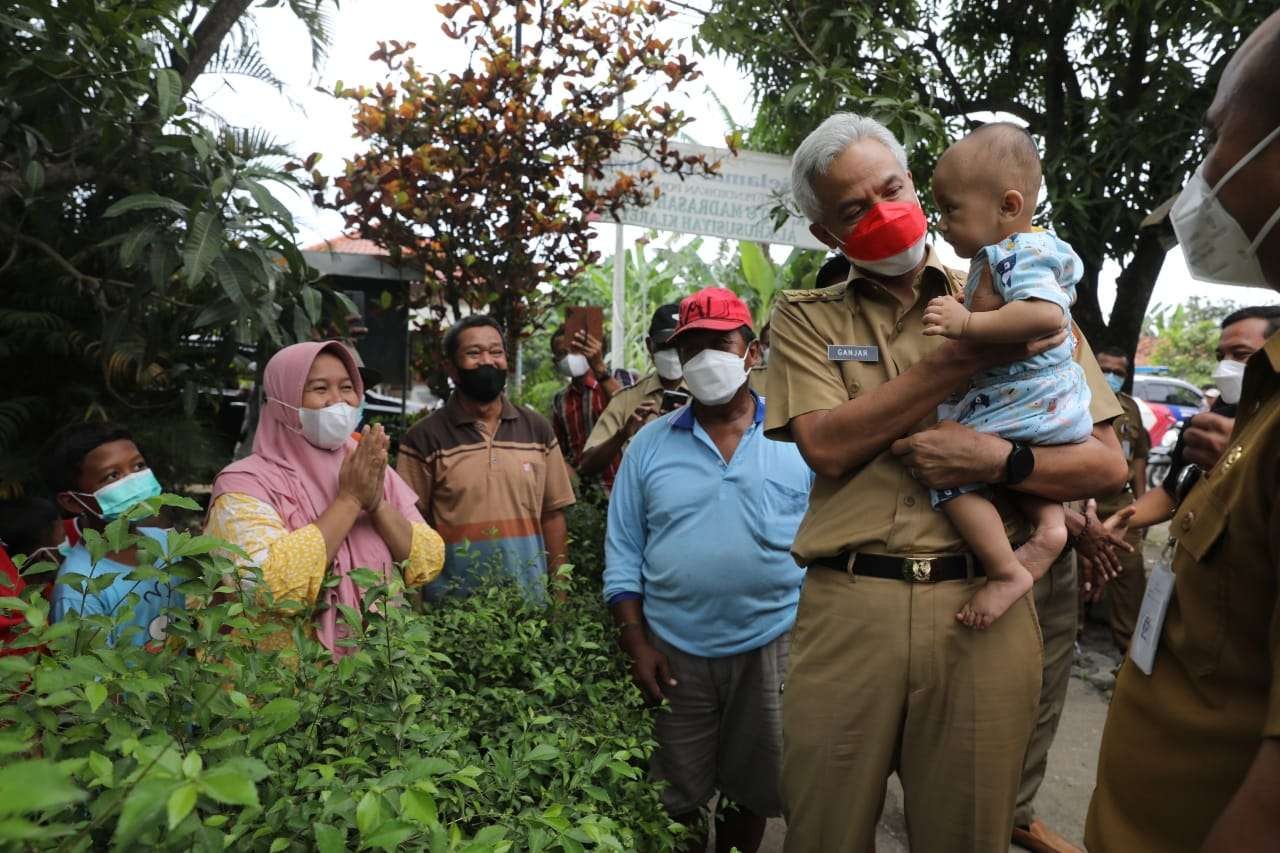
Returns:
point(1191, 754)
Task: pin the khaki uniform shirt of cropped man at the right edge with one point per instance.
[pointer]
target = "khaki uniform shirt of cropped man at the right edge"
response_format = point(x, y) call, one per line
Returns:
point(1180, 742)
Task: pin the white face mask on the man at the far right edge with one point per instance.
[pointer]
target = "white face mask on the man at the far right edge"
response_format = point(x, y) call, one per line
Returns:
point(1214, 244)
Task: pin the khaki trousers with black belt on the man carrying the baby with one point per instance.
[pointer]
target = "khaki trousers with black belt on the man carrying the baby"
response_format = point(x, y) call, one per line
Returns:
point(885, 679)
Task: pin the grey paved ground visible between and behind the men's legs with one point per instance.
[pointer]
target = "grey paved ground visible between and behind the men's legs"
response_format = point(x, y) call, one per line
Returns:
point(1064, 799)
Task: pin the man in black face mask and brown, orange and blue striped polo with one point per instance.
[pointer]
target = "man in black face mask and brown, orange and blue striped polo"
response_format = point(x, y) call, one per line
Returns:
point(490, 476)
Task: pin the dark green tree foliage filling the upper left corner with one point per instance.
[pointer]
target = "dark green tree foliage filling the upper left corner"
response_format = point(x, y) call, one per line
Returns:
point(144, 259)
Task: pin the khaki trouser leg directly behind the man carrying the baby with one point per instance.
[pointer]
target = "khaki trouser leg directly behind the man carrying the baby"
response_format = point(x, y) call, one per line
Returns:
point(1057, 604)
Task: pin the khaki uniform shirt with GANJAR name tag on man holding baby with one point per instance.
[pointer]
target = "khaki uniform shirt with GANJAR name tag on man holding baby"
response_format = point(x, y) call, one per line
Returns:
point(880, 508)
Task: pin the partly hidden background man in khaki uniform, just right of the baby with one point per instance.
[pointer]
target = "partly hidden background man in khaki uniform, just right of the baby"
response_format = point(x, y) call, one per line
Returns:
point(1124, 594)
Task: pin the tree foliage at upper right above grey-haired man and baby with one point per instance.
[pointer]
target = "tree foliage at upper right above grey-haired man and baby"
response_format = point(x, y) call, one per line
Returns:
point(1113, 92)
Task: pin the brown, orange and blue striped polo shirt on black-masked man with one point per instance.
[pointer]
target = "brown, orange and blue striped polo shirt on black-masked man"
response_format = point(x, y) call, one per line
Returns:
point(487, 495)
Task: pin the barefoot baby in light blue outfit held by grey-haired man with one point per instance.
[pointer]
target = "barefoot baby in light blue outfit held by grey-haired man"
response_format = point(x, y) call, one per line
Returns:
point(1021, 288)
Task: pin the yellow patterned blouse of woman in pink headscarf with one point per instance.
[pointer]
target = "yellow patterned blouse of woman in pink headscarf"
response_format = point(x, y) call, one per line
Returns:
point(294, 564)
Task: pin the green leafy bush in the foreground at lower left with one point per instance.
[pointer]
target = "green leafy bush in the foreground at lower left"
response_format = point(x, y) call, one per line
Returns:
point(482, 724)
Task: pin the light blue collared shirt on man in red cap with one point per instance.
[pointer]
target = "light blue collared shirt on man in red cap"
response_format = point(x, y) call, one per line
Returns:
point(707, 545)
